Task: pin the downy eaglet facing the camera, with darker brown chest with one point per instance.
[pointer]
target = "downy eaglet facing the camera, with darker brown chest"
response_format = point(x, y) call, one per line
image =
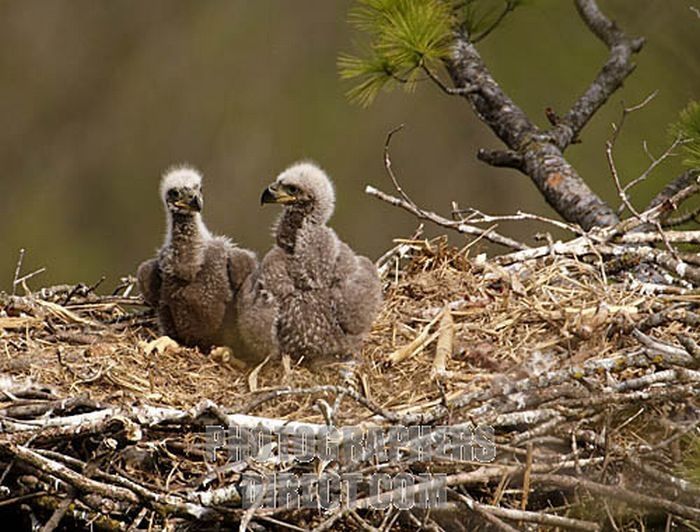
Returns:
point(194, 279)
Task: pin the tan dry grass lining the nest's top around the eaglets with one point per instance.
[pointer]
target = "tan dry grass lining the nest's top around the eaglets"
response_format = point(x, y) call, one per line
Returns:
point(506, 325)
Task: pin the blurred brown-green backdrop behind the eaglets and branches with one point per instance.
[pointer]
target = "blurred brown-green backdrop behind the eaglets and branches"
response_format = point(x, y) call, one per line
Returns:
point(97, 98)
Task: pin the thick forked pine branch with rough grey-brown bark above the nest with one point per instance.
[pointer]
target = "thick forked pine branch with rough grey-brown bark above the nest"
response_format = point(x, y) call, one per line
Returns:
point(539, 154)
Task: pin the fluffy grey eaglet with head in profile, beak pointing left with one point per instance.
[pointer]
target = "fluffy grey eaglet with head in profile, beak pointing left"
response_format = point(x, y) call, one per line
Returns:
point(311, 296)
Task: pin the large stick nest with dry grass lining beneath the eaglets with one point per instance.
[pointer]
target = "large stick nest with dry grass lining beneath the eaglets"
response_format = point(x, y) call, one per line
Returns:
point(586, 376)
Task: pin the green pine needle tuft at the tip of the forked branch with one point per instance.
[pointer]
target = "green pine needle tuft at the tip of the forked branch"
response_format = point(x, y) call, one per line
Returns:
point(404, 36)
